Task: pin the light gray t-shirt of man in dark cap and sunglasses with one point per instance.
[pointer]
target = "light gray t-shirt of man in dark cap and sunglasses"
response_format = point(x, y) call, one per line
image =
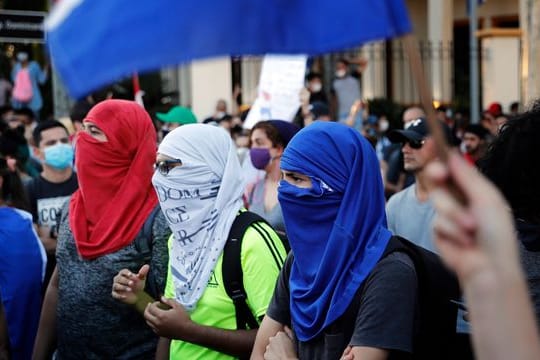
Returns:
point(409, 218)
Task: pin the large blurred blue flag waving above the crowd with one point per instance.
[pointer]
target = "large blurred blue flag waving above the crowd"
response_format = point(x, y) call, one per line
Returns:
point(95, 42)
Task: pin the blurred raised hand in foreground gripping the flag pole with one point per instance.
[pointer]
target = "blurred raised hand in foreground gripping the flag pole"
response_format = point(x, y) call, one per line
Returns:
point(477, 234)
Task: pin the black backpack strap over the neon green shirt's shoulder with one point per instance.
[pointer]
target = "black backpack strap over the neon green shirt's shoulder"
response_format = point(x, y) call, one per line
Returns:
point(233, 276)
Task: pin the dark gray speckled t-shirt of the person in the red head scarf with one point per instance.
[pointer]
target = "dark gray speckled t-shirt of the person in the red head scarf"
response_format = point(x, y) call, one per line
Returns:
point(90, 323)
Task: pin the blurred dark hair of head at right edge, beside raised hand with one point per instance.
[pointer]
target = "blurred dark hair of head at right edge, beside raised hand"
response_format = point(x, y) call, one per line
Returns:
point(511, 162)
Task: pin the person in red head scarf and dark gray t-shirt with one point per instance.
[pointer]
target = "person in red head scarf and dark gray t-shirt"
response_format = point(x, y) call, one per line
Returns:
point(99, 234)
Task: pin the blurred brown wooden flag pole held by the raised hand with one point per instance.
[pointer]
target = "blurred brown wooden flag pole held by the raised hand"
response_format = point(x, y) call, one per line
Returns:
point(413, 52)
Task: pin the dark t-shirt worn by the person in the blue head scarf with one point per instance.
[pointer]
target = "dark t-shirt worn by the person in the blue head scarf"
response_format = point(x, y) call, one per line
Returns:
point(387, 316)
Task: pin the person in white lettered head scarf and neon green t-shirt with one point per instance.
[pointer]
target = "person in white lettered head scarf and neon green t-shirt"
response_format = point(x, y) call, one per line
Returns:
point(200, 189)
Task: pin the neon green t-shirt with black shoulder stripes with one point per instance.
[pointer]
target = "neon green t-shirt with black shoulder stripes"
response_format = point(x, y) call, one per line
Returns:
point(215, 308)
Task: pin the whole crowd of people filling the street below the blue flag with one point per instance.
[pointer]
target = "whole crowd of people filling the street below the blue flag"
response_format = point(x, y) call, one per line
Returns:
point(116, 239)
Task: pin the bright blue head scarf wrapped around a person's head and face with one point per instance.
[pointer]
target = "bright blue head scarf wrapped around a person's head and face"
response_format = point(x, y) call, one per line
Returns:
point(337, 229)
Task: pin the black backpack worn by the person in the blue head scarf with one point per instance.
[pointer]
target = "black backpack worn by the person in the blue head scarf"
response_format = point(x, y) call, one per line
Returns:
point(437, 288)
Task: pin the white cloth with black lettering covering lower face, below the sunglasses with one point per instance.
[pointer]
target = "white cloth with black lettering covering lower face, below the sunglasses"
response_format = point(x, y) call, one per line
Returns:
point(190, 209)
